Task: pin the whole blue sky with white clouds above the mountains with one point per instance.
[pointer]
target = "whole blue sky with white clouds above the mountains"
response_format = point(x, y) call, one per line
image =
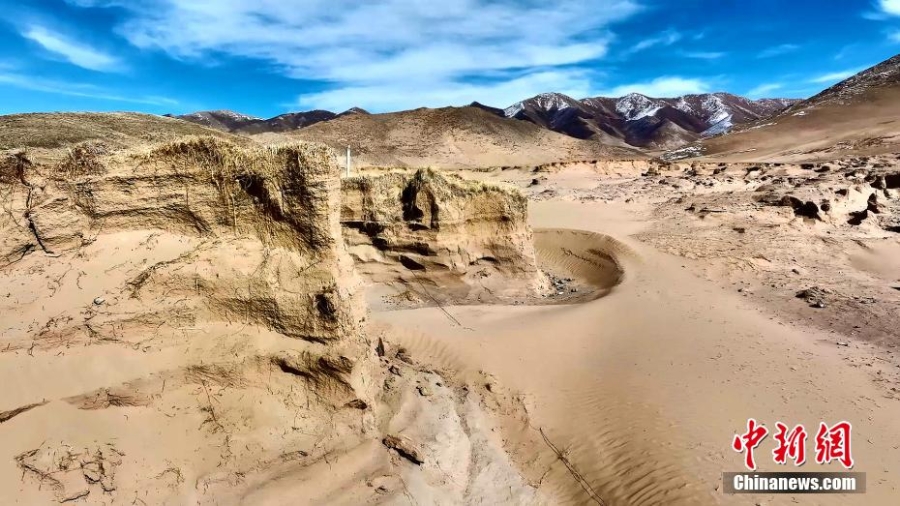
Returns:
point(266, 57)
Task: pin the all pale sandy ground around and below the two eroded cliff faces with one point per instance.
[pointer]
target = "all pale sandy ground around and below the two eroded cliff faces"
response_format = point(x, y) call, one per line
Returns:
point(627, 391)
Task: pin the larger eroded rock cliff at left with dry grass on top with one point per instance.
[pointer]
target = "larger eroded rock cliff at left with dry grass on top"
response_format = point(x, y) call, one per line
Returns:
point(269, 238)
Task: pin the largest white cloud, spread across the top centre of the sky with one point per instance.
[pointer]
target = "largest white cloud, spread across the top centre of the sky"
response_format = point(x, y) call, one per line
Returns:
point(406, 48)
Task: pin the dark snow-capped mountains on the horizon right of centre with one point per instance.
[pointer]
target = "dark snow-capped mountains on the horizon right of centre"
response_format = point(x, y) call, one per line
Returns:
point(643, 121)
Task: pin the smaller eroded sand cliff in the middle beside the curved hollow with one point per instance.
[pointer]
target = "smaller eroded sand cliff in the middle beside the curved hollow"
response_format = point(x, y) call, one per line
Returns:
point(464, 239)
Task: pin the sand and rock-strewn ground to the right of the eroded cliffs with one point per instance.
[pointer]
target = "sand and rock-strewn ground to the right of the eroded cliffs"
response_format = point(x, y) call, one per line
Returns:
point(644, 388)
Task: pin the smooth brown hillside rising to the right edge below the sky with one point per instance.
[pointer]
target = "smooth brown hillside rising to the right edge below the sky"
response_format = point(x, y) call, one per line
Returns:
point(860, 115)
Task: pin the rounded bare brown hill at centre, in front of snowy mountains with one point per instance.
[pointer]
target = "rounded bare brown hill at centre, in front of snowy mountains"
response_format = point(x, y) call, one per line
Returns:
point(448, 137)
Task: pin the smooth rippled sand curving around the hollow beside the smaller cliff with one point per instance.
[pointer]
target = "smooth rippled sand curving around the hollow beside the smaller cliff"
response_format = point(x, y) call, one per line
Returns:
point(643, 390)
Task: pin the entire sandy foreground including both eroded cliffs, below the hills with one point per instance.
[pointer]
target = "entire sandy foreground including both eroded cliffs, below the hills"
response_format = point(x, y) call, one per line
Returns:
point(201, 322)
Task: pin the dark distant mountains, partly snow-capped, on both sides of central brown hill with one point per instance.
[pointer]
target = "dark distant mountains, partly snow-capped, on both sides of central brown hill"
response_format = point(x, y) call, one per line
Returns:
point(631, 121)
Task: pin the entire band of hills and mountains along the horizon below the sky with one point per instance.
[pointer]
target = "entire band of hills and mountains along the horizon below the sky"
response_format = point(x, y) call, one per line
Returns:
point(859, 116)
